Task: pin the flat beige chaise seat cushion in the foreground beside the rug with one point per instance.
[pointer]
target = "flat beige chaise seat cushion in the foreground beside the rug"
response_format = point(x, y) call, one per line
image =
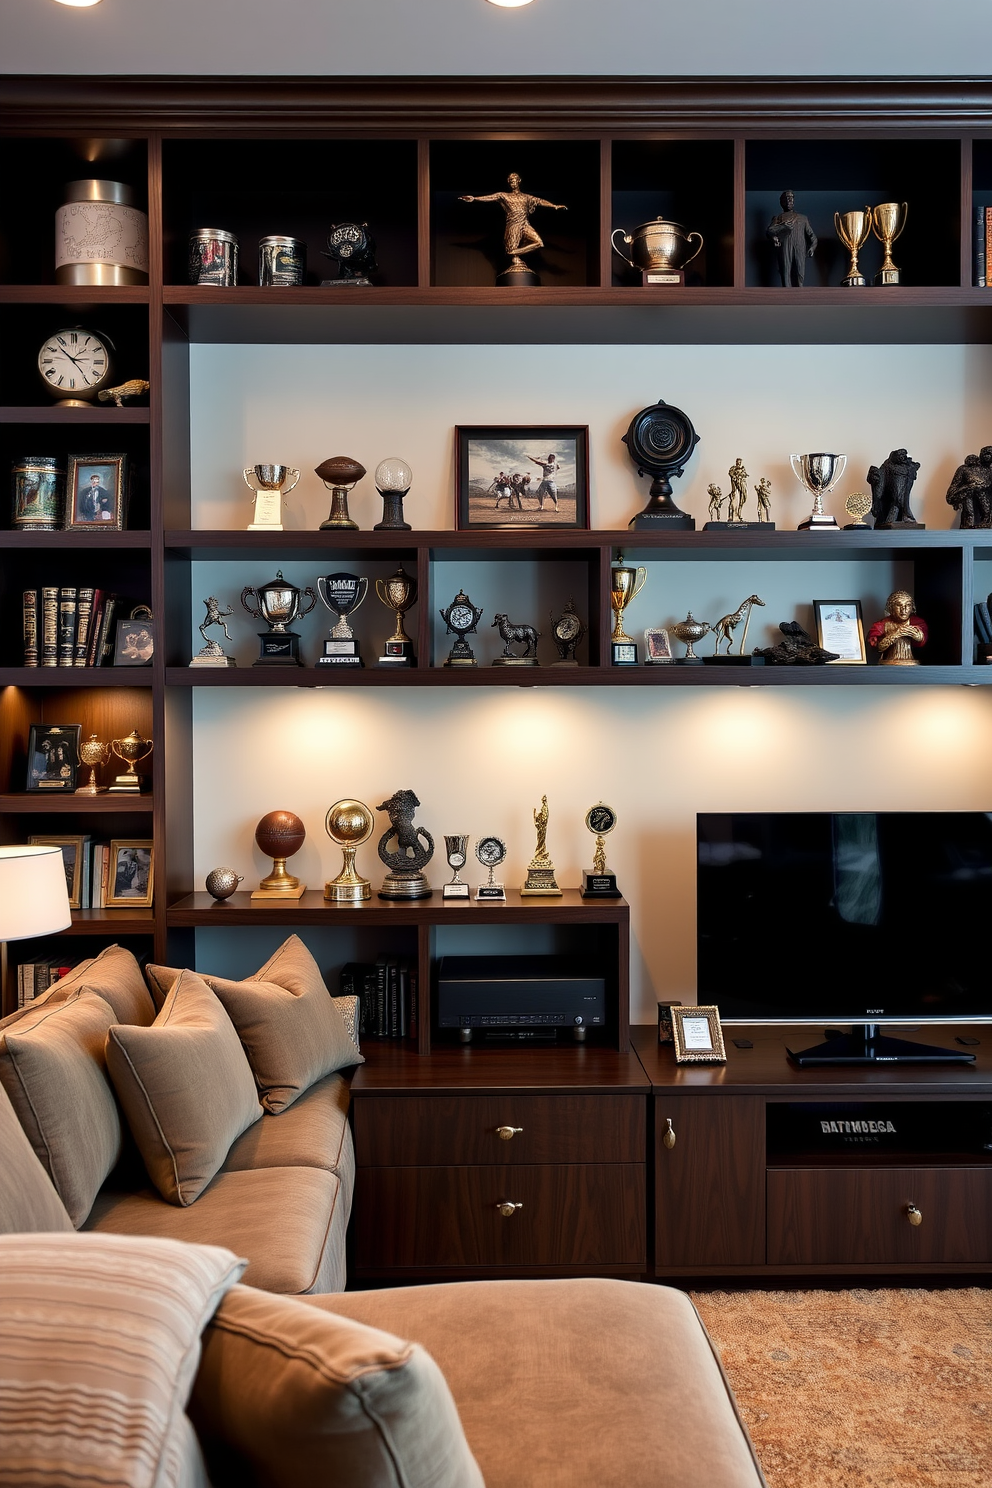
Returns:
point(575, 1385)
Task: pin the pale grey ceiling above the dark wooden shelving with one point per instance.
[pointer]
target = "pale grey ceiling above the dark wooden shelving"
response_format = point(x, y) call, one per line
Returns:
point(401, 38)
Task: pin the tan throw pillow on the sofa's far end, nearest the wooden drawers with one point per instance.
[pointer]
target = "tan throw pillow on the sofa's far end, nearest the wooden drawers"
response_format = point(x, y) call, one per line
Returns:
point(289, 1024)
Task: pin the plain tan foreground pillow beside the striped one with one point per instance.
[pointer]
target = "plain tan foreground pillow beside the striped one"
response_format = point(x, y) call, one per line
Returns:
point(300, 1398)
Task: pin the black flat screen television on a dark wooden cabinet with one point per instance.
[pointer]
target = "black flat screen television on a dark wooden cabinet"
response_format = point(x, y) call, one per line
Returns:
point(866, 919)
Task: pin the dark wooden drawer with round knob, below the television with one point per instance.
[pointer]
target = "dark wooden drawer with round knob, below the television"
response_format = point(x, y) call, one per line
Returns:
point(860, 1215)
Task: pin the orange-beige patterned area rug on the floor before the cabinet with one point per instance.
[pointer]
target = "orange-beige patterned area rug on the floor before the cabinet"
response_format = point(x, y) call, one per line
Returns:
point(862, 1389)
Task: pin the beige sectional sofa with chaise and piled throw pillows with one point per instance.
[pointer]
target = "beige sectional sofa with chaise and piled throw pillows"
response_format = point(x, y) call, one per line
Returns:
point(542, 1385)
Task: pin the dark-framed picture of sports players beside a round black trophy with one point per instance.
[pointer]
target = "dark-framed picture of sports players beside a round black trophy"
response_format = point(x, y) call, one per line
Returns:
point(523, 477)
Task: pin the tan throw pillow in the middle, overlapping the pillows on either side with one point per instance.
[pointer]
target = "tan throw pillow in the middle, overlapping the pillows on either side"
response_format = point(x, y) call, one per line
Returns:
point(185, 1087)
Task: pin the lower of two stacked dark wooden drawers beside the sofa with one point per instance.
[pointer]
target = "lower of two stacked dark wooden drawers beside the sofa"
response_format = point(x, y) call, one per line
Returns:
point(578, 1216)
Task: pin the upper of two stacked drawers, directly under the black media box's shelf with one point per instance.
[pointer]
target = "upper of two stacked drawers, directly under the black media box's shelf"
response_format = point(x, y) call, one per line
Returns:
point(437, 1132)
